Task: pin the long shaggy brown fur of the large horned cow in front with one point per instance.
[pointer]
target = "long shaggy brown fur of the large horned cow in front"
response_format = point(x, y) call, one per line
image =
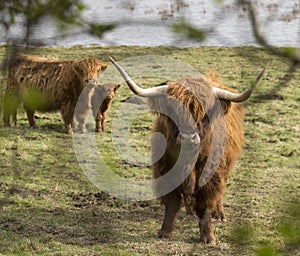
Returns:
point(197, 96)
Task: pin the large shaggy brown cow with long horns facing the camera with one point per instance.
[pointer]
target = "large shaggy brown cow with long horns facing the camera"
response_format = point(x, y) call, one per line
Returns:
point(189, 117)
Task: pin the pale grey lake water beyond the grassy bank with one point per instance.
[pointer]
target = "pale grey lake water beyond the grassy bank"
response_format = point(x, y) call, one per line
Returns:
point(148, 23)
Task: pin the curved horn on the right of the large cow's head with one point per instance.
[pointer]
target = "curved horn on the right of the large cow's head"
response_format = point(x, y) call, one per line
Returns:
point(235, 97)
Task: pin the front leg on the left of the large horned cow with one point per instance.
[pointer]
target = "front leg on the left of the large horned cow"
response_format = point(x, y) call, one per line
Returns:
point(172, 203)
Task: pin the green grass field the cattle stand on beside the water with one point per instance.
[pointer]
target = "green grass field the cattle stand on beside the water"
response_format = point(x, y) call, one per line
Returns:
point(48, 206)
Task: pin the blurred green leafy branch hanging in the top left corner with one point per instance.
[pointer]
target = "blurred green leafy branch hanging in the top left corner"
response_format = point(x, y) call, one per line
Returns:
point(66, 13)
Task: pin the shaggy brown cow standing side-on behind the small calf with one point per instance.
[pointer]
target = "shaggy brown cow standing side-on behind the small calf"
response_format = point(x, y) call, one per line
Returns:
point(47, 85)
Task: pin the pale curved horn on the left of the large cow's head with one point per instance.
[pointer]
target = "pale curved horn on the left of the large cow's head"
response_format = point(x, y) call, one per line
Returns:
point(149, 92)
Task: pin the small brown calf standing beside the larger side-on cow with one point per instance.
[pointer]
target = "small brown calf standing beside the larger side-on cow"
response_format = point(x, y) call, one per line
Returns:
point(98, 98)
